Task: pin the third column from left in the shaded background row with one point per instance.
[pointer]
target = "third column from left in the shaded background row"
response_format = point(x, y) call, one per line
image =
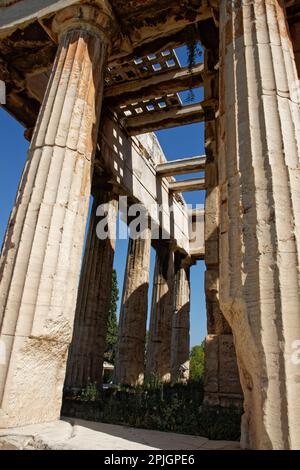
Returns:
point(158, 360)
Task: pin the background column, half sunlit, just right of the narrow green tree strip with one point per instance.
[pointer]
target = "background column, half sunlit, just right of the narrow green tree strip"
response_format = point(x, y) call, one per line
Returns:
point(130, 353)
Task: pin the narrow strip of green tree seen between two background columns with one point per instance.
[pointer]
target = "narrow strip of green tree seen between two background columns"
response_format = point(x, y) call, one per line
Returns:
point(112, 322)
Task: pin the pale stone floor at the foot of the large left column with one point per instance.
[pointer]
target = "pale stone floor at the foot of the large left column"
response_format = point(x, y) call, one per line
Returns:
point(70, 434)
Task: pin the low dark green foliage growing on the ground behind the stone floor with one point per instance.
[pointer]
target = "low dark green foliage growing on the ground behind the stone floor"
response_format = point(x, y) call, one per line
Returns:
point(178, 408)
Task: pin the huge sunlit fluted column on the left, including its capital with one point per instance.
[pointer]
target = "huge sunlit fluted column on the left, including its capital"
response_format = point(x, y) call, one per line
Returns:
point(41, 256)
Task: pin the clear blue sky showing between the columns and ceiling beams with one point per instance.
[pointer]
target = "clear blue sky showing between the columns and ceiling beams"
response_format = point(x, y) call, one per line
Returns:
point(177, 143)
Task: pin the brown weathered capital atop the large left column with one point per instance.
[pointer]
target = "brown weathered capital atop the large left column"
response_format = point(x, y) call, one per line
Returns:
point(99, 20)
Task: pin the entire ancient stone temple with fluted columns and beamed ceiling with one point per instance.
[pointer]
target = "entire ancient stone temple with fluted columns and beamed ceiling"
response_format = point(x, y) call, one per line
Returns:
point(90, 81)
